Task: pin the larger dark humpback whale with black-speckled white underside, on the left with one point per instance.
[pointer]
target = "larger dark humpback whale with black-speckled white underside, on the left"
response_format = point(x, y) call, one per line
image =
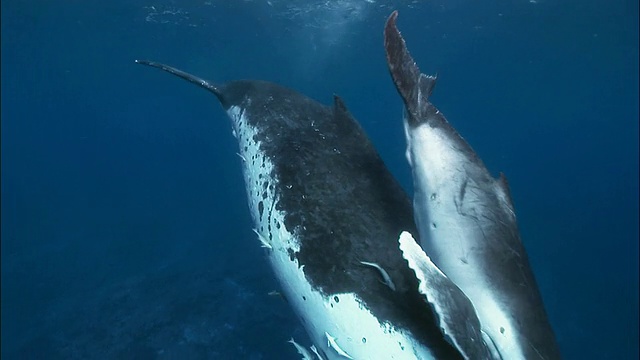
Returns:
point(322, 201)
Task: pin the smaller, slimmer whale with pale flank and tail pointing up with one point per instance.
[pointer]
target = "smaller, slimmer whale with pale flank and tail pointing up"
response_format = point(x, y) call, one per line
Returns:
point(466, 218)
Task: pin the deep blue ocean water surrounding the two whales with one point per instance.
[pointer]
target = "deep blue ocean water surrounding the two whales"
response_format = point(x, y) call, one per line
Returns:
point(125, 230)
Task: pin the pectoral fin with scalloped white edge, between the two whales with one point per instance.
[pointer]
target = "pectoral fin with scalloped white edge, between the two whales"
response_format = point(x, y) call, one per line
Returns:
point(455, 312)
